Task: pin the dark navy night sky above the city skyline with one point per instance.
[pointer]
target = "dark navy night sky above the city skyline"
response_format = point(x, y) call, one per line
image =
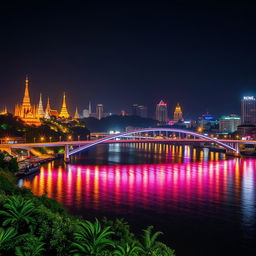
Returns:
point(201, 55)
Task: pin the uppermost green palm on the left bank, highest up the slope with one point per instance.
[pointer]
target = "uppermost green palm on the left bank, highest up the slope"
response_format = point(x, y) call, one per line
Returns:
point(18, 212)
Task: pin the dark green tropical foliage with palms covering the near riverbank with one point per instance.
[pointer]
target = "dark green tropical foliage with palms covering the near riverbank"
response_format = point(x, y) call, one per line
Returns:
point(36, 226)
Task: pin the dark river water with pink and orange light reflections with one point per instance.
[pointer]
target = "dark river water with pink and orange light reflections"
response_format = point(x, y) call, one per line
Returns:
point(202, 201)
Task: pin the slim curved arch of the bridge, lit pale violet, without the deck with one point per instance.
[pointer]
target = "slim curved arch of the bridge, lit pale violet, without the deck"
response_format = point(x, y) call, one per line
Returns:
point(122, 134)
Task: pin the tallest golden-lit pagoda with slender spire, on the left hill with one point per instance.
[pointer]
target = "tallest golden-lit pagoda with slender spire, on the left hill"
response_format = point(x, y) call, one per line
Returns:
point(27, 112)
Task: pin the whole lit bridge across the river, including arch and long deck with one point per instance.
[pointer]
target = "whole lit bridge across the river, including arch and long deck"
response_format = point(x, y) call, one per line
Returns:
point(140, 135)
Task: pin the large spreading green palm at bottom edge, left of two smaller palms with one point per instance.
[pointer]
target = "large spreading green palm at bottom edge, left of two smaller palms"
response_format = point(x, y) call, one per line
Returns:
point(91, 239)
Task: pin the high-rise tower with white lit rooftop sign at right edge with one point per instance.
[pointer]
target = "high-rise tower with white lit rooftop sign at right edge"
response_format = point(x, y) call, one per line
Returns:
point(248, 110)
